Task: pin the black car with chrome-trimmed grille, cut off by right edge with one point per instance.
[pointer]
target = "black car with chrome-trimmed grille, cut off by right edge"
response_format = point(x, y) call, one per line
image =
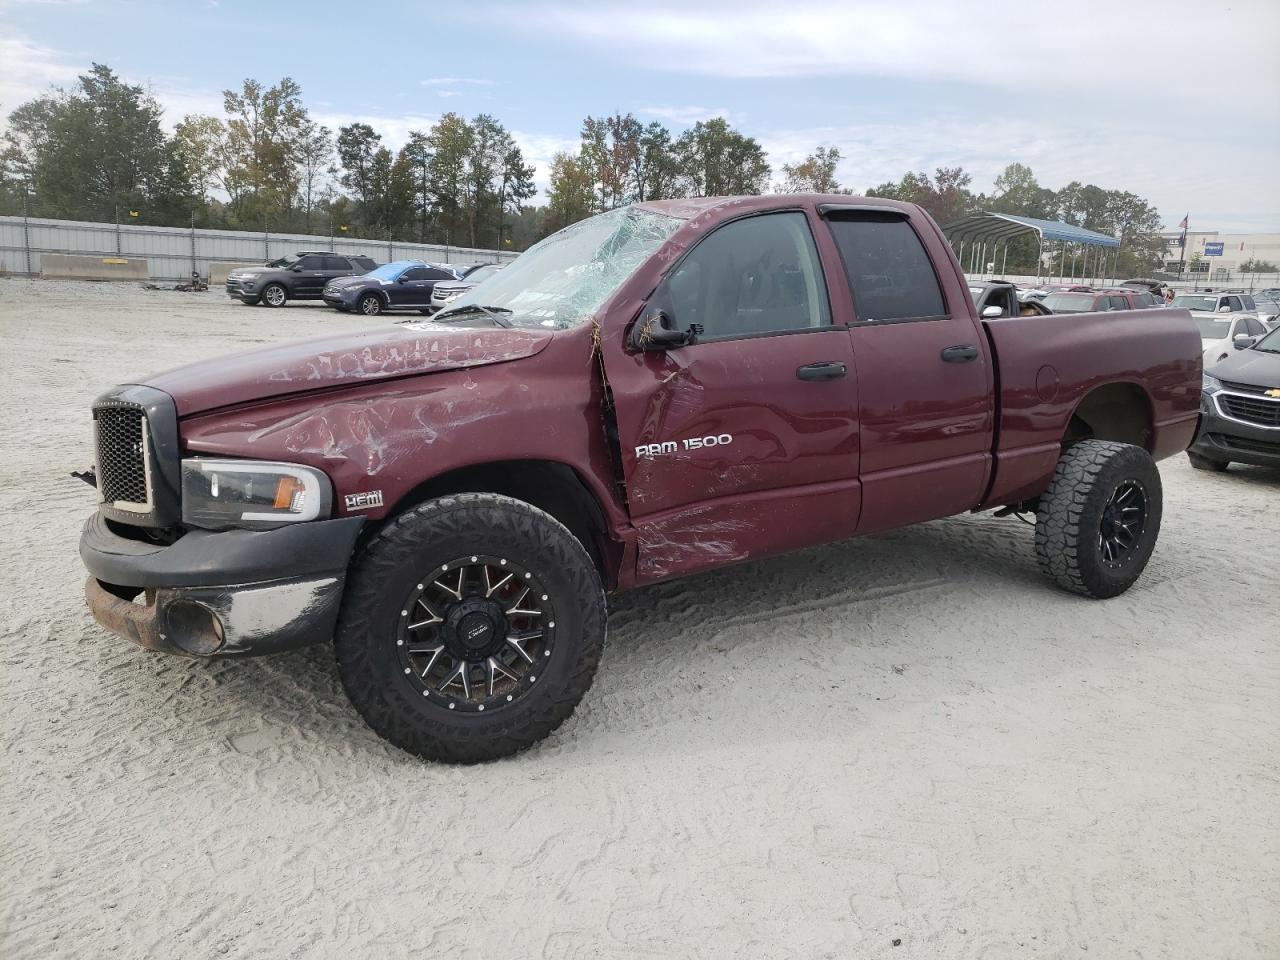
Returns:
point(1241, 408)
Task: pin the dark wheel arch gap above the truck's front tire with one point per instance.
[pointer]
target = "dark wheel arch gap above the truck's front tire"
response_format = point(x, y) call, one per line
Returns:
point(550, 486)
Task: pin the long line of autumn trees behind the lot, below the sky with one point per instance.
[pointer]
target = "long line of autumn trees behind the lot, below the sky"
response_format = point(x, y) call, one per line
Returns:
point(266, 163)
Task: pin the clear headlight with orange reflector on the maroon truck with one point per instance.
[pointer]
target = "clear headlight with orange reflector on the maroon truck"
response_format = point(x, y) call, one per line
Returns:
point(222, 493)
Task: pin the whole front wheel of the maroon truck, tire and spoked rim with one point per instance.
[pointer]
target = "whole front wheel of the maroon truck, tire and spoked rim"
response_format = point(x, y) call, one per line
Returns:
point(470, 628)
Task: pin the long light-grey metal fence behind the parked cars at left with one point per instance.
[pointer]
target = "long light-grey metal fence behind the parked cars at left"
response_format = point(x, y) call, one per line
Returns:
point(175, 253)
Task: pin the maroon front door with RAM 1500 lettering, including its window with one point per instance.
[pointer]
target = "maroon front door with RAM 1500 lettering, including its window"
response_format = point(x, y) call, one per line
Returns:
point(746, 442)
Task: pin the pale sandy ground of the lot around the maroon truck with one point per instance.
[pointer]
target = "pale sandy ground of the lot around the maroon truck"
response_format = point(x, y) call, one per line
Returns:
point(903, 747)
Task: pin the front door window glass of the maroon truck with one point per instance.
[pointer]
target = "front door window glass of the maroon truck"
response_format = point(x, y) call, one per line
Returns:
point(753, 276)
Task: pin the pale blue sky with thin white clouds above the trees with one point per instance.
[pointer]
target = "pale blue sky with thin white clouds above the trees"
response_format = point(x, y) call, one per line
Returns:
point(1176, 102)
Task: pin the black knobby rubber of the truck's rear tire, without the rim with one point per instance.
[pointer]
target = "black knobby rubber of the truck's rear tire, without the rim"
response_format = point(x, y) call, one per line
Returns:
point(1069, 520)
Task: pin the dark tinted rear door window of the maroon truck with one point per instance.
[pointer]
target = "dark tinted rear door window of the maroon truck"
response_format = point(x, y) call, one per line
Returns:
point(890, 273)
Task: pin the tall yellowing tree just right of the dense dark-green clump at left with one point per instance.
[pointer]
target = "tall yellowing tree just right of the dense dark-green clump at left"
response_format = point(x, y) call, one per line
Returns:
point(264, 129)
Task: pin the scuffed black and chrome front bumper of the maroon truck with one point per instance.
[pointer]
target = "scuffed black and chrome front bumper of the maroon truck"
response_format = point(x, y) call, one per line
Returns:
point(228, 593)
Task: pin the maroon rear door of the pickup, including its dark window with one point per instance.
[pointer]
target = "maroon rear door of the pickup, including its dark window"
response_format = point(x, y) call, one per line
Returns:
point(925, 371)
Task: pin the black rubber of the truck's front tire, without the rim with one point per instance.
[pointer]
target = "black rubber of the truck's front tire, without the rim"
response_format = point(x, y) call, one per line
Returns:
point(420, 541)
